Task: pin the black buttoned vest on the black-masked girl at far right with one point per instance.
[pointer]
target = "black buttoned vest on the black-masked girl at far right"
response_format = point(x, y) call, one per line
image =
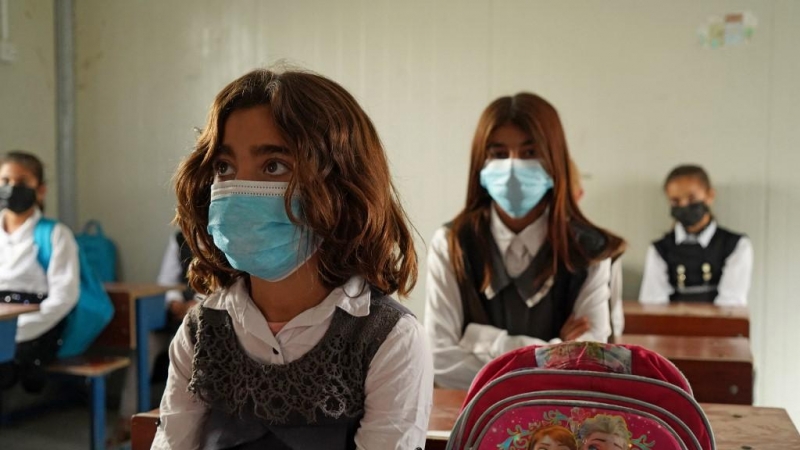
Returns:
point(694, 271)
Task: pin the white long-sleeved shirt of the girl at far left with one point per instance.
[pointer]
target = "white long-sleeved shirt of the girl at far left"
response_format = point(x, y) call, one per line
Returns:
point(20, 271)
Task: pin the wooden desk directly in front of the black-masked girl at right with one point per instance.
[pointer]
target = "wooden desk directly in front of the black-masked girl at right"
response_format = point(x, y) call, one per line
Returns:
point(686, 319)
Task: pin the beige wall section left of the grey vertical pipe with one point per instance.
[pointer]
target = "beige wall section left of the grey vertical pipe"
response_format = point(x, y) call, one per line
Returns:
point(27, 89)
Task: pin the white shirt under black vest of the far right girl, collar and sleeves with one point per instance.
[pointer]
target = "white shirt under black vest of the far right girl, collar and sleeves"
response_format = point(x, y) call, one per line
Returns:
point(734, 284)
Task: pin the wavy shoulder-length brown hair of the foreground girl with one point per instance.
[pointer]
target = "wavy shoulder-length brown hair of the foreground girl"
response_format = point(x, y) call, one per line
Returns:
point(348, 198)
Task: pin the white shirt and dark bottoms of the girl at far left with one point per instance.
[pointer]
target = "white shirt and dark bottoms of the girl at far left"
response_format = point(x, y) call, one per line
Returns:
point(24, 280)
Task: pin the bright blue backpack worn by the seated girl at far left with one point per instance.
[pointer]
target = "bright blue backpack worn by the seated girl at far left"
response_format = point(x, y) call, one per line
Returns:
point(94, 309)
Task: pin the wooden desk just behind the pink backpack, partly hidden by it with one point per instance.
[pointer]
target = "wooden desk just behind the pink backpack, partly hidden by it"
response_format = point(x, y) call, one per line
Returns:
point(719, 369)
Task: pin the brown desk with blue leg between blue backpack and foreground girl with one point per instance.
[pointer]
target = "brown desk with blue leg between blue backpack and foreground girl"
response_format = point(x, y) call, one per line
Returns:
point(138, 310)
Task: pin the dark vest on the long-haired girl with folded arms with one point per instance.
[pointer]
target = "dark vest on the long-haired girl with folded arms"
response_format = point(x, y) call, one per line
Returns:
point(508, 309)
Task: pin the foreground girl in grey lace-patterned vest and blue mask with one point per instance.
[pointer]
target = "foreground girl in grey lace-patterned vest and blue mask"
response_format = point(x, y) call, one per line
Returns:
point(298, 240)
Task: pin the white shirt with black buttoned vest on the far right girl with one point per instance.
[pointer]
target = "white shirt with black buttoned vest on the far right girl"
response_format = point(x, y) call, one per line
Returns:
point(712, 266)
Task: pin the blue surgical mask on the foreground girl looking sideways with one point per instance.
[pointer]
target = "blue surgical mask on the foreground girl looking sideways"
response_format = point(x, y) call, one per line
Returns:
point(249, 223)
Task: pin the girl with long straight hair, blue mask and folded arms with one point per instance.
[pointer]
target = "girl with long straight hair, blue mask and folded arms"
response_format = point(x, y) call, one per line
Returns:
point(520, 265)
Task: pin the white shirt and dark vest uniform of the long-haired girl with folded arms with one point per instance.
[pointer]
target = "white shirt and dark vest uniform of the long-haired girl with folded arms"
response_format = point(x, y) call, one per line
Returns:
point(517, 313)
